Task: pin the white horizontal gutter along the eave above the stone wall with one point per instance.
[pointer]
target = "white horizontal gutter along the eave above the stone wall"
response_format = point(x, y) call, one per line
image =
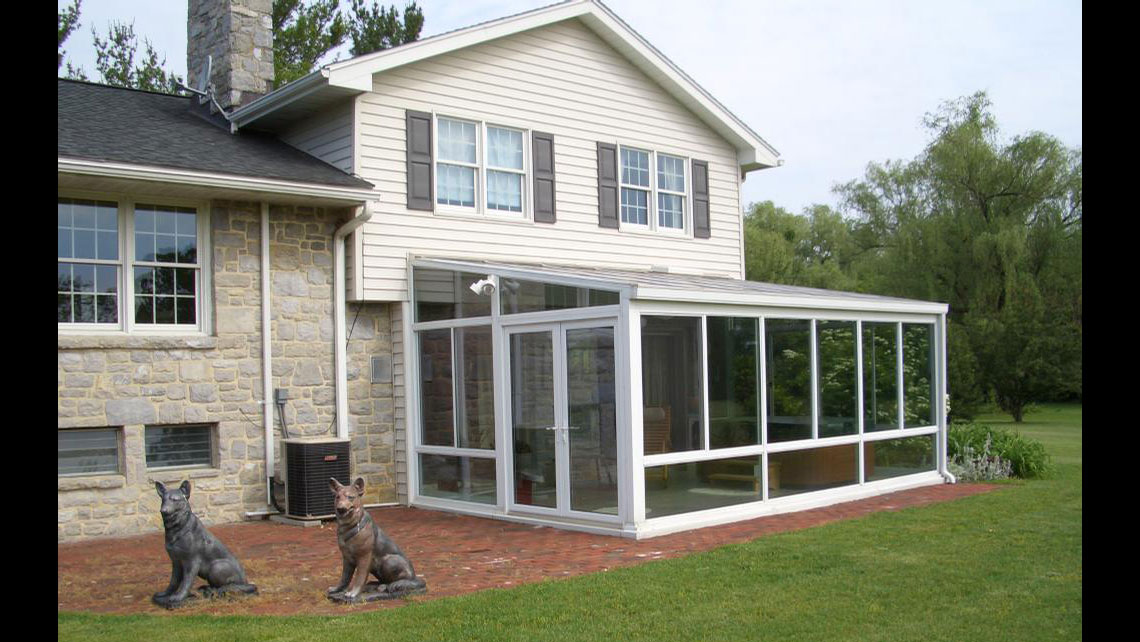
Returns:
point(209, 180)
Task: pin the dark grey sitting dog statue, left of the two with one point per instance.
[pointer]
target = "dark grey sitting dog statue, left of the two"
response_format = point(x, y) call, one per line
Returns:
point(194, 552)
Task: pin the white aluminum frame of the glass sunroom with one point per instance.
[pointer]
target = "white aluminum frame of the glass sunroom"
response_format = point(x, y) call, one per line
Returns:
point(625, 319)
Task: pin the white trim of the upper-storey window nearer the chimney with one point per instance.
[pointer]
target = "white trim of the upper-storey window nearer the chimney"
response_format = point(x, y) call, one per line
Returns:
point(482, 168)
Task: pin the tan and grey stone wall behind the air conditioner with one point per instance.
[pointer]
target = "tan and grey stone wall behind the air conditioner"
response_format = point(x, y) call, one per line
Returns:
point(131, 383)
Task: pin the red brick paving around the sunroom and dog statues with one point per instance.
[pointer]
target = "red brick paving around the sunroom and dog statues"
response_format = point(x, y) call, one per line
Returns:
point(292, 566)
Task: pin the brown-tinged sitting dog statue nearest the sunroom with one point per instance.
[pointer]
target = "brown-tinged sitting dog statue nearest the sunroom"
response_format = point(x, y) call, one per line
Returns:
point(367, 550)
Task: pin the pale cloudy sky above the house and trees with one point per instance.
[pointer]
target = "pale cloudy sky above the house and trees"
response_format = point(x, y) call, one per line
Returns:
point(833, 85)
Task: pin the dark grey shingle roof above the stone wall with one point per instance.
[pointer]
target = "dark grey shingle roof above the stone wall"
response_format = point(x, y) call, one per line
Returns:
point(99, 123)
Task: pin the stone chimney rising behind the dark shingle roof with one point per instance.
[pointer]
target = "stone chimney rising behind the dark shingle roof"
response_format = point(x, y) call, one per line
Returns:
point(240, 36)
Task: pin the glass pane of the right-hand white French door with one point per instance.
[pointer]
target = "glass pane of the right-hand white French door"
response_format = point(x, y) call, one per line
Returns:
point(593, 421)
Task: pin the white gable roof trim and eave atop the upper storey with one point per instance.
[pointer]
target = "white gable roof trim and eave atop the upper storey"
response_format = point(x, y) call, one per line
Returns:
point(355, 76)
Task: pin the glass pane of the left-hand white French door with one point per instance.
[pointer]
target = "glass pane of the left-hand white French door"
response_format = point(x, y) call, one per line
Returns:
point(532, 418)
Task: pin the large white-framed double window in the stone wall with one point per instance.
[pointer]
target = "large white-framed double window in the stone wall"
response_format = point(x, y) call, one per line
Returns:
point(134, 267)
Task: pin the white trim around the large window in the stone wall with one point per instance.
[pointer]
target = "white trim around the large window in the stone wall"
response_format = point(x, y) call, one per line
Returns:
point(126, 264)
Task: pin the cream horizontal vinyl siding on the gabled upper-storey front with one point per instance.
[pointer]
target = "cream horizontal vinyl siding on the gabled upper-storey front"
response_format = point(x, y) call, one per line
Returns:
point(564, 80)
